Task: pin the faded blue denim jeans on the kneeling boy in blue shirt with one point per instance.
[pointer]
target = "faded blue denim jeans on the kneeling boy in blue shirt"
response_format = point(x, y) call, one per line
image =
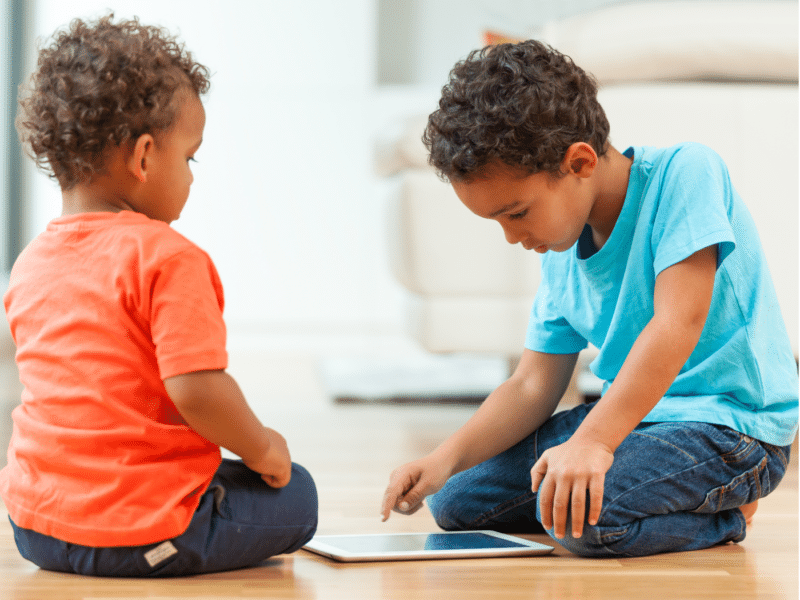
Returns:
point(671, 487)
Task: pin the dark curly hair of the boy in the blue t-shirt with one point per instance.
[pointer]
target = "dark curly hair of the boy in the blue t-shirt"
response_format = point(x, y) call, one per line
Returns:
point(519, 104)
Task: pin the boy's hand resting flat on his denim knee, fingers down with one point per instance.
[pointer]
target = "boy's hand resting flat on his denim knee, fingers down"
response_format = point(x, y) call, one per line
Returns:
point(565, 473)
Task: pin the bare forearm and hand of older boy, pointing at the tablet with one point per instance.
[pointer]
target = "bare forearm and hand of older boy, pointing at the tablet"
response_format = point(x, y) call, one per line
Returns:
point(509, 414)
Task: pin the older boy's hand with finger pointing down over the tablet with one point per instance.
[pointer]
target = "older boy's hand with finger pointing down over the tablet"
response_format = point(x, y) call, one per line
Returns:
point(409, 484)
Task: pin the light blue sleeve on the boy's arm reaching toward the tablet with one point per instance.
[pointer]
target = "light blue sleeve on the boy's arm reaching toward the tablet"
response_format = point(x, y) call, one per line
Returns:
point(548, 330)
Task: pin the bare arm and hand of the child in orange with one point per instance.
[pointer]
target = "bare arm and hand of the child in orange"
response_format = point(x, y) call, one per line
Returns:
point(213, 405)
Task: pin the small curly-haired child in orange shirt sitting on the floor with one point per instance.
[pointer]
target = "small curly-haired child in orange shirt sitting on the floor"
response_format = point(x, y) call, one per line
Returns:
point(114, 466)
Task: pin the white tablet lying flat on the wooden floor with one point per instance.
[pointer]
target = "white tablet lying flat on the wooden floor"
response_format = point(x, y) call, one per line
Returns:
point(417, 546)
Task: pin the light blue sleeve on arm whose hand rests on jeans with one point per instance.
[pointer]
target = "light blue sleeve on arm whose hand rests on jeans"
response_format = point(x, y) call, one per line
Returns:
point(693, 211)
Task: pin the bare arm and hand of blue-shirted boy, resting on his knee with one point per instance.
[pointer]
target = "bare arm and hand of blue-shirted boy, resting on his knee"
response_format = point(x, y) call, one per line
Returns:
point(681, 301)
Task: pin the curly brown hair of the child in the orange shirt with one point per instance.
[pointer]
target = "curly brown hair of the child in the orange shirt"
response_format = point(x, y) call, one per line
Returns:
point(101, 84)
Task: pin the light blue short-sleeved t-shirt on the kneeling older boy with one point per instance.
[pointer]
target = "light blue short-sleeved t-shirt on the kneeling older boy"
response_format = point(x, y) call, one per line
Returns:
point(679, 200)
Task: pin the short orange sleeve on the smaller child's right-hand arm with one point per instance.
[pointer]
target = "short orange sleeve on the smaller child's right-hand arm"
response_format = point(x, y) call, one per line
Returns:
point(186, 321)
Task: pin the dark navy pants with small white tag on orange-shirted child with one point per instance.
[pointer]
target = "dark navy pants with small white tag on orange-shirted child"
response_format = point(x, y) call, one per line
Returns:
point(240, 522)
